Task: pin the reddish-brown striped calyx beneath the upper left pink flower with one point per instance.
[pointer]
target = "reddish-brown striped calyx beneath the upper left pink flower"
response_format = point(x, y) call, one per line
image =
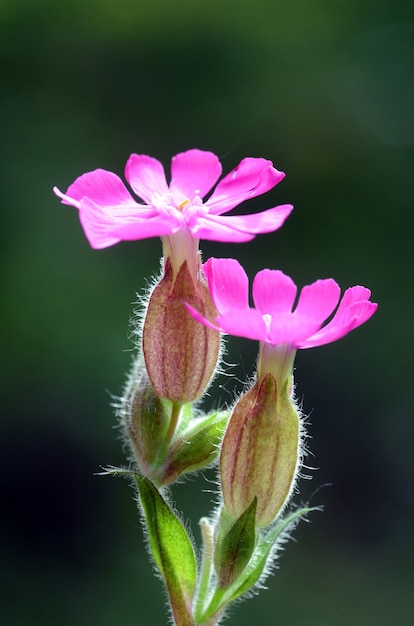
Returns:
point(180, 353)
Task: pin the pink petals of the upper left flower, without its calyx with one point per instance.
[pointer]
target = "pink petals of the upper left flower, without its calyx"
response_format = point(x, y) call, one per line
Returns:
point(109, 213)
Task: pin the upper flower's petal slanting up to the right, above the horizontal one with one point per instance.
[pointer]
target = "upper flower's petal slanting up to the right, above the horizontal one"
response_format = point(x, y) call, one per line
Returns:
point(251, 178)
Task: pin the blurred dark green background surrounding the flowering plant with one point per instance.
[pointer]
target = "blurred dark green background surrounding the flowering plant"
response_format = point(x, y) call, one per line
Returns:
point(326, 91)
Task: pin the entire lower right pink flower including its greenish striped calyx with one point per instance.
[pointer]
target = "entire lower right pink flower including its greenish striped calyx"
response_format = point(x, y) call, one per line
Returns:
point(261, 449)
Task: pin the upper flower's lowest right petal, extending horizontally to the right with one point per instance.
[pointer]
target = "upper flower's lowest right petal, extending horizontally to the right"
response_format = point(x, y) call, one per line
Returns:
point(238, 228)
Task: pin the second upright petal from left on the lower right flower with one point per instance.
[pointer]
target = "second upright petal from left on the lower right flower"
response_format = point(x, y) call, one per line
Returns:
point(273, 292)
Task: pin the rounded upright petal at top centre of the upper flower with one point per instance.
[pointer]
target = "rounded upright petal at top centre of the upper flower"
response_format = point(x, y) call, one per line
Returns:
point(193, 173)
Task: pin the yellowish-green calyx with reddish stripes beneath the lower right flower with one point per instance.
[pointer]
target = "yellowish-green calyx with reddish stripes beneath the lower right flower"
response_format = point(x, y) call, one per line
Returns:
point(260, 452)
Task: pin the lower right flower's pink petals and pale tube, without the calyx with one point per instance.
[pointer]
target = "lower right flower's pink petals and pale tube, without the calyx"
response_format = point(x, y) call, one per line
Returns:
point(279, 328)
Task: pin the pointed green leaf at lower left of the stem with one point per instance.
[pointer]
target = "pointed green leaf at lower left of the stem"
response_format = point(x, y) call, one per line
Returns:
point(172, 550)
